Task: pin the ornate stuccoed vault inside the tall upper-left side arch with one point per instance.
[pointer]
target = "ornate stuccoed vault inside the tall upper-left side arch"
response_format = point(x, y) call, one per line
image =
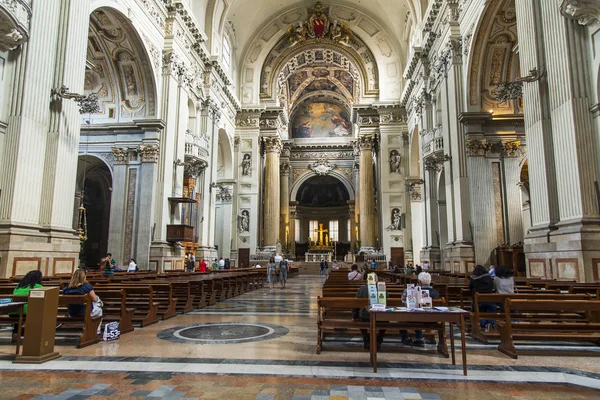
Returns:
point(118, 68)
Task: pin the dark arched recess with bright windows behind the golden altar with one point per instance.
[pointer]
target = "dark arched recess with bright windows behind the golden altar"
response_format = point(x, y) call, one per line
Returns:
point(322, 202)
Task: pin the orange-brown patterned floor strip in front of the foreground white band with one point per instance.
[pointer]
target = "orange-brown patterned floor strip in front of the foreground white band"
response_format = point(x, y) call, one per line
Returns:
point(79, 386)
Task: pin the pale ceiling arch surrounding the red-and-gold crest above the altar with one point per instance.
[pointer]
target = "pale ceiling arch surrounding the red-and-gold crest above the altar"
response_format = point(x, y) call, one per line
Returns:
point(375, 47)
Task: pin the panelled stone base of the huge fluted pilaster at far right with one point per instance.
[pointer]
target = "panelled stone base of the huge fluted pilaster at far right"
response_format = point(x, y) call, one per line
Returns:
point(571, 252)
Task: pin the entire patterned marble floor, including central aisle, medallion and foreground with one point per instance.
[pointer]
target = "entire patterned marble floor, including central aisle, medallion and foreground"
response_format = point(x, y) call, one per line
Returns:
point(261, 345)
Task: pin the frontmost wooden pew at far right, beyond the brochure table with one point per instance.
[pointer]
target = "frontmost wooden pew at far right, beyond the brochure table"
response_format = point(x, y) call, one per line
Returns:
point(542, 324)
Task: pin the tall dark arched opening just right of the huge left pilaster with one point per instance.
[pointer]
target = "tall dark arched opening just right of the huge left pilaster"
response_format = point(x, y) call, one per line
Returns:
point(95, 187)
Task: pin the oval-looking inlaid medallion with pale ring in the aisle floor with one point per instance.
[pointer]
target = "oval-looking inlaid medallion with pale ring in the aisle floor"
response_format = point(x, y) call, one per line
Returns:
point(223, 333)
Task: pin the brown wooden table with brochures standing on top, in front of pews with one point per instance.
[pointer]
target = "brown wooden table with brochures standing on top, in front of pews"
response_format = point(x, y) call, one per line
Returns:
point(451, 317)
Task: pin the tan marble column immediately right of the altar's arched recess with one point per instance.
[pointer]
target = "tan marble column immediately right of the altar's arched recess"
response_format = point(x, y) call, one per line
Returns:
point(367, 197)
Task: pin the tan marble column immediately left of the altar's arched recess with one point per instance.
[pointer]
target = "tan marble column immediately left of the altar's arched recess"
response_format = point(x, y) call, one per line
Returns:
point(272, 191)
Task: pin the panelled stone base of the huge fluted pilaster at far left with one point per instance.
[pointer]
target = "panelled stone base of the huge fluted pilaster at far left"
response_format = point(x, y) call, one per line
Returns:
point(25, 248)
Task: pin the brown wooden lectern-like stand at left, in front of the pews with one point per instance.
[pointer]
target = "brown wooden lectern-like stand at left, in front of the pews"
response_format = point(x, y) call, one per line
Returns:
point(40, 326)
